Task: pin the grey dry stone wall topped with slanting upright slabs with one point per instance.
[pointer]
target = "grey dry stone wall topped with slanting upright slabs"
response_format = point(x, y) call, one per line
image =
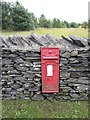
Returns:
point(21, 67)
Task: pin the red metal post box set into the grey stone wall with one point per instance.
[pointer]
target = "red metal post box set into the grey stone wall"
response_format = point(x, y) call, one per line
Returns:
point(50, 70)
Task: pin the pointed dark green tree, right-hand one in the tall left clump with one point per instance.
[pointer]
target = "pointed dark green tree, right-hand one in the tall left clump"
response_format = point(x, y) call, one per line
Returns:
point(22, 20)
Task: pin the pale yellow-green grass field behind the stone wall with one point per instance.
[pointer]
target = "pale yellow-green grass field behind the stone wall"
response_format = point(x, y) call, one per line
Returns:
point(52, 31)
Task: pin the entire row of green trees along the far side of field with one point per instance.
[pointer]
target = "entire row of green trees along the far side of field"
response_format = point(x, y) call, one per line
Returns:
point(16, 18)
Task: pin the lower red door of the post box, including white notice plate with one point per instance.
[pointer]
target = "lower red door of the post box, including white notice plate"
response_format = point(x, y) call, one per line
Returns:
point(49, 83)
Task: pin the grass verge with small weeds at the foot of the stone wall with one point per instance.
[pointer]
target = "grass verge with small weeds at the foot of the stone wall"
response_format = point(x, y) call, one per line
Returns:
point(44, 109)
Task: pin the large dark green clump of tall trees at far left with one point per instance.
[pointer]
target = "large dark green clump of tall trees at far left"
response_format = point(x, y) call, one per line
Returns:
point(16, 17)
